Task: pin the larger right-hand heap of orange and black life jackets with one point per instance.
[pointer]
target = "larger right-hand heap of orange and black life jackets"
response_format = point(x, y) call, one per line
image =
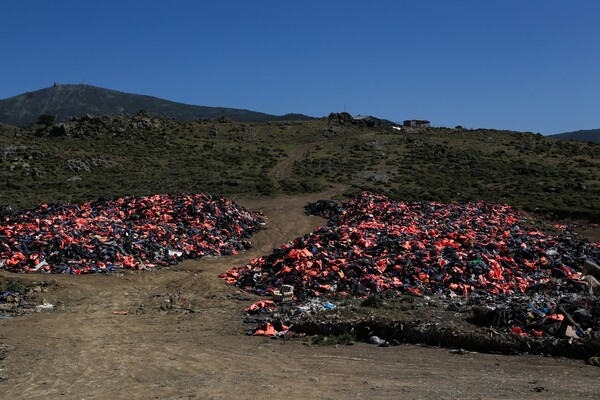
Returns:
point(377, 245)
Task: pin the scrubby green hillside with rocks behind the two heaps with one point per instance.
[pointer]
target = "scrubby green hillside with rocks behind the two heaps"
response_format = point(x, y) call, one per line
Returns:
point(114, 156)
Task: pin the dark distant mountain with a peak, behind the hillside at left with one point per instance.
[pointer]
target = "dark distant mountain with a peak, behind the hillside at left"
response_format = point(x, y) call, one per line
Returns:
point(68, 100)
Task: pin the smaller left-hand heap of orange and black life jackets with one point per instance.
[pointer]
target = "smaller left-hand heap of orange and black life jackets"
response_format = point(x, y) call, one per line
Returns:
point(132, 232)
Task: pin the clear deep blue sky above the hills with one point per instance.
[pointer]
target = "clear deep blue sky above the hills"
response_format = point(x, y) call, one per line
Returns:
point(527, 65)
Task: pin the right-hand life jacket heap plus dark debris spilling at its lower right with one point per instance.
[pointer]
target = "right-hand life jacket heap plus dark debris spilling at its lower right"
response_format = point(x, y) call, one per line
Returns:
point(470, 253)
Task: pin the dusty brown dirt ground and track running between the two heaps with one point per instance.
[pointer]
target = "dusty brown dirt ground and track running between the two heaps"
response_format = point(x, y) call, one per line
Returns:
point(163, 350)
